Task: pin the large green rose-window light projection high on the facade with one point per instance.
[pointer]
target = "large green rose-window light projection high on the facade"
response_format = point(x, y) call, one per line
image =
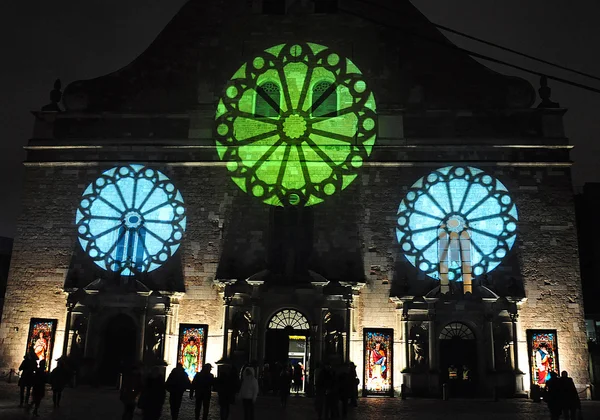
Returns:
point(295, 124)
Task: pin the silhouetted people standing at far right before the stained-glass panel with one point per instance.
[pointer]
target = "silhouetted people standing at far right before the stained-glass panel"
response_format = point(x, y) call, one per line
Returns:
point(561, 396)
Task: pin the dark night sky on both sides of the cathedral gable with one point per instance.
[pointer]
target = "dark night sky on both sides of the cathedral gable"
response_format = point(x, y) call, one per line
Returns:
point(84, 39)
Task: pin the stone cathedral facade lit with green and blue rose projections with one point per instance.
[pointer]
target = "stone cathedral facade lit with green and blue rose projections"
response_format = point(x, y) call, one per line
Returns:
point(301, 182)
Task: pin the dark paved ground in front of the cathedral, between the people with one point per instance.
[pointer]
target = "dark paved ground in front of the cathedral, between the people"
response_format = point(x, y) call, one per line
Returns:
point(102, 404)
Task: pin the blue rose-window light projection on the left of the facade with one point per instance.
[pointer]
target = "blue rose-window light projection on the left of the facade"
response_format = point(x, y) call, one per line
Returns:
point(131, 219)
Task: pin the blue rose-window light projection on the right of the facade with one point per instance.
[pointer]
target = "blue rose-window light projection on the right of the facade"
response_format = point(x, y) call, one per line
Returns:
point(456, 202)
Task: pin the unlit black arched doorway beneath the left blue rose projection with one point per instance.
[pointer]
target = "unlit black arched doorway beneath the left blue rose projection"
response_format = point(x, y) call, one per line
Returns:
point(119, 340)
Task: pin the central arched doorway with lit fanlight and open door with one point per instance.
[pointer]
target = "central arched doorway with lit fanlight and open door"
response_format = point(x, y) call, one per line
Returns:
point(286, 342)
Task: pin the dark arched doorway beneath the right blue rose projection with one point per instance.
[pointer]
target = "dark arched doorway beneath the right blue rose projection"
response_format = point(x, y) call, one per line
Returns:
point(458, 359)
